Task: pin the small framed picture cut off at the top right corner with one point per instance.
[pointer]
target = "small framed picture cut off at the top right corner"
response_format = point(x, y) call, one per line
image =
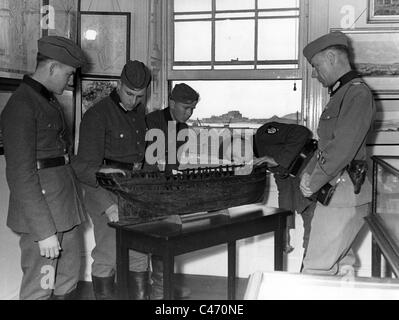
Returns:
point(382, 11)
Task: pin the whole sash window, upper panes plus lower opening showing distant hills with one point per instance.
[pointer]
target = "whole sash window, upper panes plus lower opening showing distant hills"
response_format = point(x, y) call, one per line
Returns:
point(242, 56)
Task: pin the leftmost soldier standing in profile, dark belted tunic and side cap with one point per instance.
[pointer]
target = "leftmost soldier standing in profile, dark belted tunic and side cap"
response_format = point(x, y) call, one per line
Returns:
point(45, 200)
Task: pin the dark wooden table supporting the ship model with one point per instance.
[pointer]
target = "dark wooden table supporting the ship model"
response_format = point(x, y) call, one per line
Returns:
point(167, 240)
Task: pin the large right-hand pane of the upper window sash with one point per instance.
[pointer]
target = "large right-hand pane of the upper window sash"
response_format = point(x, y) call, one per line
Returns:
point(281, 45)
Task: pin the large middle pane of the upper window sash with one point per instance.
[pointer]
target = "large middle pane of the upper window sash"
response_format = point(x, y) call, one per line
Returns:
point(235, 40)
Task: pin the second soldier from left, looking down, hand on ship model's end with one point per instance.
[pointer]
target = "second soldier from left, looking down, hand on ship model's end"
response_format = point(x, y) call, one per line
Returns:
point(112, 133)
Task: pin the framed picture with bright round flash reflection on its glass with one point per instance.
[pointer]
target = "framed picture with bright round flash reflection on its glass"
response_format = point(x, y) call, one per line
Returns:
point(105, 38)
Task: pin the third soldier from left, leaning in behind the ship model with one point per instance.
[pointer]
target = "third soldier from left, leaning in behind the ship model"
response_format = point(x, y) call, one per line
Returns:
point(171, 121)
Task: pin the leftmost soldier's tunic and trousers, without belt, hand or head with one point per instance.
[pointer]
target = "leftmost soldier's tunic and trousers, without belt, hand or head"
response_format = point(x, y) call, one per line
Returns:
point(42, 202)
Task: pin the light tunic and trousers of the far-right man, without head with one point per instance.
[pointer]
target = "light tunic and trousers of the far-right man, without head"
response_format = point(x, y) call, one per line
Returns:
point(343, 128)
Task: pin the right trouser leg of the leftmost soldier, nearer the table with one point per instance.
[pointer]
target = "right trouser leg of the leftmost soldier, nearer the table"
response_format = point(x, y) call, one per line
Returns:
point(69, 262)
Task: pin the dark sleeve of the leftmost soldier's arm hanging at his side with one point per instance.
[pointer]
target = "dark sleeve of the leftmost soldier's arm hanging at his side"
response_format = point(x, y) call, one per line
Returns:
point(19, 135)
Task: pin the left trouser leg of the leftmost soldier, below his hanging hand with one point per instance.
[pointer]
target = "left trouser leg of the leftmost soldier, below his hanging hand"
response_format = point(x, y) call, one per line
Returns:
point(38, 272)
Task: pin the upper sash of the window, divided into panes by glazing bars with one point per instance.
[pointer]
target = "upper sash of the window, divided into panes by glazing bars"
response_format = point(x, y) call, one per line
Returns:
point(239, 34)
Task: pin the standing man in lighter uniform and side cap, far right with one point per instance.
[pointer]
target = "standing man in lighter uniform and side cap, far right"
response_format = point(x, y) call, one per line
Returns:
point(343, 128)
